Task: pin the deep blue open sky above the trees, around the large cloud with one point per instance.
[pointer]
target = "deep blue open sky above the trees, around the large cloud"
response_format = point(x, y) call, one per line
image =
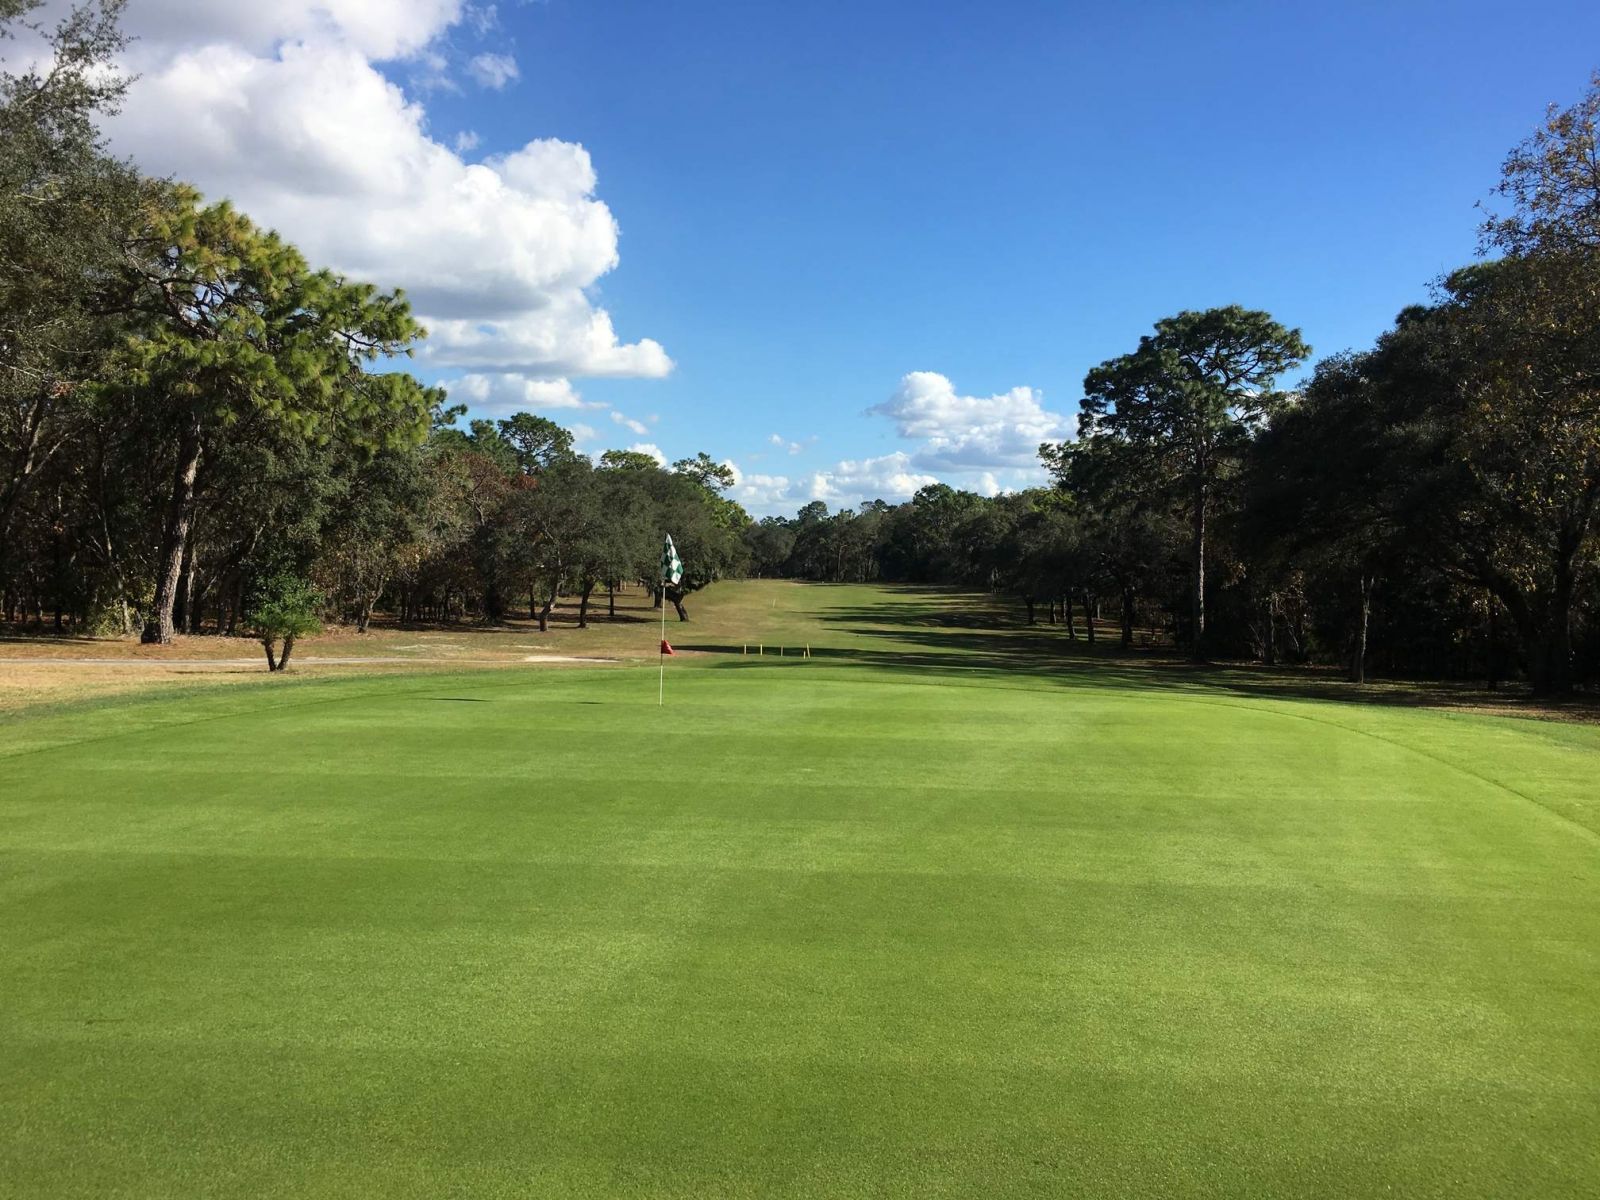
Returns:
point(817, 201)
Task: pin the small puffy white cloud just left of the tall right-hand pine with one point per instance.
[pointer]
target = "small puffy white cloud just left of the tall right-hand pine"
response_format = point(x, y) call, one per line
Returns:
point(969, 433)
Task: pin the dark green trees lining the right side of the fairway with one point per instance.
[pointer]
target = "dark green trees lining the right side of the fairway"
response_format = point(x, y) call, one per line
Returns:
point(1426, 506)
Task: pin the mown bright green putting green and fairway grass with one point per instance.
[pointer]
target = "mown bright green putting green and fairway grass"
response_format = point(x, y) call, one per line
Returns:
point(929, 914)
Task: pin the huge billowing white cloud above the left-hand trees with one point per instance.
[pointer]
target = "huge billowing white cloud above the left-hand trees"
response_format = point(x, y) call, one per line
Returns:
point(284, 110)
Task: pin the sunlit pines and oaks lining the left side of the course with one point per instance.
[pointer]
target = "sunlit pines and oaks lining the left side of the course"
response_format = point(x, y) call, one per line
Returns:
point(202, 431)
